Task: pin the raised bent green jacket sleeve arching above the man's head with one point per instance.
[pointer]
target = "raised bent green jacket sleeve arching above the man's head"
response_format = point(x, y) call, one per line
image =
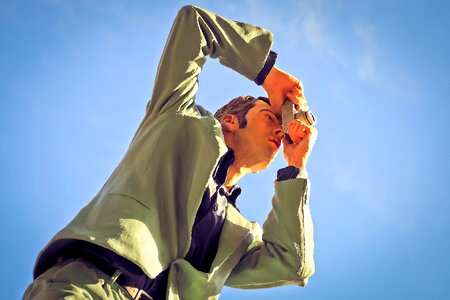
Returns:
point(195, 34)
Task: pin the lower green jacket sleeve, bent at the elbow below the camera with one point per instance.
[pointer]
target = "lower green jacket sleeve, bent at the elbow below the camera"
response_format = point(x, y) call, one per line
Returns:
point(284, 254)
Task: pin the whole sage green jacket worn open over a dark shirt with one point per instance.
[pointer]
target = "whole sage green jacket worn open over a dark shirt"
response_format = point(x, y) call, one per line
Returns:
point(146, 209)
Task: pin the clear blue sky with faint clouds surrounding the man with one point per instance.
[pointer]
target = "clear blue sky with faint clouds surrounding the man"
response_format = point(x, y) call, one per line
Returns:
point(75, 77)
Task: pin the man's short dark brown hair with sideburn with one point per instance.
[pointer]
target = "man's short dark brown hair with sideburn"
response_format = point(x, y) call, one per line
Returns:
point(239, 107)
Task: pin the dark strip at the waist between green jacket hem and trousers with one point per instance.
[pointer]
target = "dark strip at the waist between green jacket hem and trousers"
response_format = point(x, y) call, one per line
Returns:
point(113, 265)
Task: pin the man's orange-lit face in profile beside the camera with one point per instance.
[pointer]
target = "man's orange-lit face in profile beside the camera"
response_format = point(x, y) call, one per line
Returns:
point(260, 140)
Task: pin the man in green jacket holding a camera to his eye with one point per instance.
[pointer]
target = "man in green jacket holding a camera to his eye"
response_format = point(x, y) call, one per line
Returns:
point(166, 224)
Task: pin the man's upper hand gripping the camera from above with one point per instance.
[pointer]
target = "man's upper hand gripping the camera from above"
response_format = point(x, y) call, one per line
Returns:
point(280, 85)
